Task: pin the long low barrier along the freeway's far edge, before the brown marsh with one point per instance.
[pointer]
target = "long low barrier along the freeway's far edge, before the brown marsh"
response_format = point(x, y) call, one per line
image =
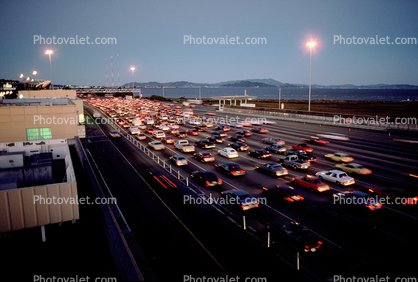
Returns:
point(344, 120)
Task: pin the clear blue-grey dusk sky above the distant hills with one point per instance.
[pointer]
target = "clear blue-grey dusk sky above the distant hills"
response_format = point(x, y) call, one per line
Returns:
point(150, 37)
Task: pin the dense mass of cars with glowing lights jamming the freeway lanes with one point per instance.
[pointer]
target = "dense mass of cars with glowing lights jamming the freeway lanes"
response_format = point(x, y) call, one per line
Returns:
point(251, 168)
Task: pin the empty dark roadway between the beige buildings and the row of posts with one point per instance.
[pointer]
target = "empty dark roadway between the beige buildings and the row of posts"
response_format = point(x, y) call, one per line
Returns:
point(172, 250)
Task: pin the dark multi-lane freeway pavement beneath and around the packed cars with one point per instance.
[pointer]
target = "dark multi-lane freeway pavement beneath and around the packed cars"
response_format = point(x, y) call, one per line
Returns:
point(207, 239)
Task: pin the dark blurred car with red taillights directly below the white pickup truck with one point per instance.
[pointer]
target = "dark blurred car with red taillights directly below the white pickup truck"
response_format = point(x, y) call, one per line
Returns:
point(357, 198)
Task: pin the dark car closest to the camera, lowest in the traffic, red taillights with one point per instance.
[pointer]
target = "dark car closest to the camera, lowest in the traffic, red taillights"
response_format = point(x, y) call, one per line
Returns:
point(297, 233)
